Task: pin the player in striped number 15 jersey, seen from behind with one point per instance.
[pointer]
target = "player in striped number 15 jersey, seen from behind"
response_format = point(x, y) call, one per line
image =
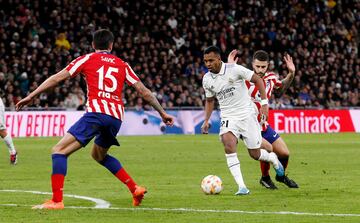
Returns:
point(105, 75)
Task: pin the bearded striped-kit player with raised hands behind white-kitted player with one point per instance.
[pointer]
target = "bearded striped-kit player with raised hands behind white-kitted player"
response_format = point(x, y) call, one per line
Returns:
point(260, 64)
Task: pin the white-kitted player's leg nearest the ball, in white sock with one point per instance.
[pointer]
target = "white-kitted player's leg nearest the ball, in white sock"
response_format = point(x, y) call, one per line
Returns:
point(230, 141)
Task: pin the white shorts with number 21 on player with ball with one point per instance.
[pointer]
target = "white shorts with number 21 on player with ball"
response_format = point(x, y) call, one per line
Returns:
point(249, 130)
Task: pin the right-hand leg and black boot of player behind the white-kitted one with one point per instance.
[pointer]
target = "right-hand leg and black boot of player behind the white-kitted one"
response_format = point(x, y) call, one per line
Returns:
point(282, 151)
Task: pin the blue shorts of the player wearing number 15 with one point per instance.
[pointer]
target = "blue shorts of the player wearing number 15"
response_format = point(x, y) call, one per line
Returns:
point(103, 127)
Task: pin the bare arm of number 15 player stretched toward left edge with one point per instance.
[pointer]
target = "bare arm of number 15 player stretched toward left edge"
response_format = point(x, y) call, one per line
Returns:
point(47, 84)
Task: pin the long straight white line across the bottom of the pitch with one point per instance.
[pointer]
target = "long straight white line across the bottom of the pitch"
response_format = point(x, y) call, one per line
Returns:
point(206, 211)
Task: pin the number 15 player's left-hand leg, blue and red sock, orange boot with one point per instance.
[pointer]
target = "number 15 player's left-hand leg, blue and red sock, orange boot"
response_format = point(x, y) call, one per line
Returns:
point(60, 152)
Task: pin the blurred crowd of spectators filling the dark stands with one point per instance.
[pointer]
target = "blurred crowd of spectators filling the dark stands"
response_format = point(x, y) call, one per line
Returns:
point(163, 41)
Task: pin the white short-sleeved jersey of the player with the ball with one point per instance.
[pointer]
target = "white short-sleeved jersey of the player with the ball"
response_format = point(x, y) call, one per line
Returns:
point(229, 87)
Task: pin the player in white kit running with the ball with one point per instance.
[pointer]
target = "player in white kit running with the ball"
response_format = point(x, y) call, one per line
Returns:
point(238, 113)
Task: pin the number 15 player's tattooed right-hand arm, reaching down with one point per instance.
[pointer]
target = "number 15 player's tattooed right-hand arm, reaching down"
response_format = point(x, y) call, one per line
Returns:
point(149, 97)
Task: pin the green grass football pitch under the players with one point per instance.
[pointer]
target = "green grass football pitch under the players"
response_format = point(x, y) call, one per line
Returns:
point(326, 167)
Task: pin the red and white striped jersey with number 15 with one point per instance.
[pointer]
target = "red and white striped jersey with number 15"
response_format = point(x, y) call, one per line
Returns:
point(105, 75)
